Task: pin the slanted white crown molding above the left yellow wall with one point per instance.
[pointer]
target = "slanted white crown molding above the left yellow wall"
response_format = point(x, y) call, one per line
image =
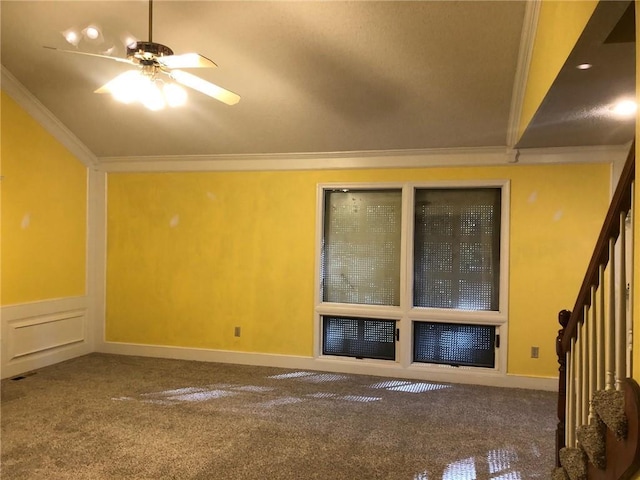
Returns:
point(45, 118)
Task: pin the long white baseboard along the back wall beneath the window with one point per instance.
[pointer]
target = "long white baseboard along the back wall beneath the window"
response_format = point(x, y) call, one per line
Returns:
point(357, 367)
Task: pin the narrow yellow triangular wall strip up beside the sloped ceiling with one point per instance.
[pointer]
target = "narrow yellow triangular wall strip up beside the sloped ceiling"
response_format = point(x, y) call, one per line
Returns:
point(560, 24)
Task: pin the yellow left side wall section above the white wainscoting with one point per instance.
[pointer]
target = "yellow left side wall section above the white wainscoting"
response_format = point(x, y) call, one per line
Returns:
point(44, 198)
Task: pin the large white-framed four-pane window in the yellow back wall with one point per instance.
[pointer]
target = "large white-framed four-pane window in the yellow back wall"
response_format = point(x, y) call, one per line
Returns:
point(428, 260)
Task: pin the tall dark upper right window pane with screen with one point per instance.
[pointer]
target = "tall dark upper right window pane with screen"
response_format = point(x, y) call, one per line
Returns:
point(457, 248)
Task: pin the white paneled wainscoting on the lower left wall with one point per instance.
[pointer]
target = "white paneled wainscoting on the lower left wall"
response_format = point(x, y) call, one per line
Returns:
point(38, 334)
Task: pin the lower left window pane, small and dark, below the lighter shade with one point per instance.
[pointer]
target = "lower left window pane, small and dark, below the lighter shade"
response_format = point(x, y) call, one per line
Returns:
point(359, 337)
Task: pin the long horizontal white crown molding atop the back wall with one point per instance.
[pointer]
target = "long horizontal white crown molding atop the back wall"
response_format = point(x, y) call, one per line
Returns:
point(425, 158)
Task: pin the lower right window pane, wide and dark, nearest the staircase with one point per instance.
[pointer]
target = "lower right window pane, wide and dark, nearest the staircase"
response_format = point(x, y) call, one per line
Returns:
point(454, 344)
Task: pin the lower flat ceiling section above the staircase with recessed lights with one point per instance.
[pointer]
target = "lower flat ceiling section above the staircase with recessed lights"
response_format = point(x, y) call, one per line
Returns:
point(577, 110)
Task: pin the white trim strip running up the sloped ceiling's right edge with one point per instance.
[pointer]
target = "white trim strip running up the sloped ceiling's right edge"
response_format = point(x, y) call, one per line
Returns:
point(527, 39)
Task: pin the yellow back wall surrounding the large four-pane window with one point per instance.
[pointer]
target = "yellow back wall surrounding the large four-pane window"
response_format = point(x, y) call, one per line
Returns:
point(191, 255)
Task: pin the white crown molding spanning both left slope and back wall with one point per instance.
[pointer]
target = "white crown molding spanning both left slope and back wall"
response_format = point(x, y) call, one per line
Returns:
point(417, 158)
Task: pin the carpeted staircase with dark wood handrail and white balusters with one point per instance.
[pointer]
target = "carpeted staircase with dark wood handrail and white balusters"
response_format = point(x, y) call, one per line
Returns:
point(598, 434)
